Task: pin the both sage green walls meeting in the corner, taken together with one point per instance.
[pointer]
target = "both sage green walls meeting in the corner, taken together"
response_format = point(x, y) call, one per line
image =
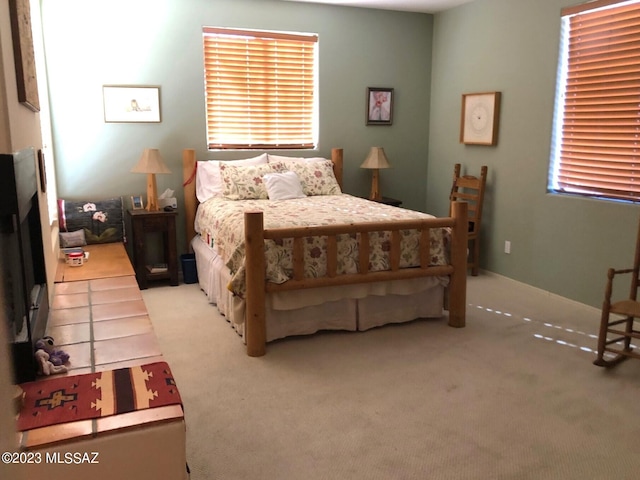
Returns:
point(560, 244)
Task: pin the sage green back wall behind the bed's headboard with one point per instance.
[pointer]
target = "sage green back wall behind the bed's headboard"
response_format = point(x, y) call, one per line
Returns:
point(159, 42)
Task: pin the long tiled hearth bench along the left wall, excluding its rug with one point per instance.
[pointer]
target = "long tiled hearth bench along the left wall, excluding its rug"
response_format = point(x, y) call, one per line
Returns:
point(98, 316)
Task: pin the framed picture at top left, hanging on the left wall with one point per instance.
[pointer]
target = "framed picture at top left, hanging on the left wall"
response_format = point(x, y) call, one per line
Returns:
point(20, 14)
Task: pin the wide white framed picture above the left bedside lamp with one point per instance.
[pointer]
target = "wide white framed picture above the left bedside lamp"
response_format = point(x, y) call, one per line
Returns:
point(131, 104)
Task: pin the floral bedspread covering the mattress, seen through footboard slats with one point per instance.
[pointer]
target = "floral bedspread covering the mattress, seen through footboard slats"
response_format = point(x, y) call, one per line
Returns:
point(221, 223)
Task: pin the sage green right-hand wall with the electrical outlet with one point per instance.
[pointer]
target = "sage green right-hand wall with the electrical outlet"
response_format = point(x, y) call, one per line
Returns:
point(560, 244)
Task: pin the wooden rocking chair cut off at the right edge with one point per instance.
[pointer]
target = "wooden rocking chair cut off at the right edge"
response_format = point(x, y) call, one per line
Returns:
point(617, 324)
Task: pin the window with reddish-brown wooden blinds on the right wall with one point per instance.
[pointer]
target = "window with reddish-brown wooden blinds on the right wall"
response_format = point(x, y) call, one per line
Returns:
point(596, 139)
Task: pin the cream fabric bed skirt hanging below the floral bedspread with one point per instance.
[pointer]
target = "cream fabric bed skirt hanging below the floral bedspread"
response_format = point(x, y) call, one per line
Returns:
point(303, 312)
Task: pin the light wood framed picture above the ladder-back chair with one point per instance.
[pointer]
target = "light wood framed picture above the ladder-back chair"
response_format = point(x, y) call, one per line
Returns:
point(480, 118)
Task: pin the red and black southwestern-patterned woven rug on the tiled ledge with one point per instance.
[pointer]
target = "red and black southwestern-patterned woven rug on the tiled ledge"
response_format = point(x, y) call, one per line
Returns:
point(93, 395)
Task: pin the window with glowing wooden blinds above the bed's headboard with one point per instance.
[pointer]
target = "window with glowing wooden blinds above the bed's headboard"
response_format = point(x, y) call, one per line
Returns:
point(260, 89)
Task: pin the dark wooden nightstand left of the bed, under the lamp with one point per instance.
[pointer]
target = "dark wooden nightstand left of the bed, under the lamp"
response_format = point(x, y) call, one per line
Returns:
point(143, 222)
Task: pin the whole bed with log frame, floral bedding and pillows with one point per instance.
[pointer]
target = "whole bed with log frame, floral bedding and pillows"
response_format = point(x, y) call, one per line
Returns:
point(282, 251)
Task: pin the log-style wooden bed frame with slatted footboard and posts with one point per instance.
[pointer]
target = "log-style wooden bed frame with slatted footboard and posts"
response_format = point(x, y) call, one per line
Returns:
point(257, 287)
